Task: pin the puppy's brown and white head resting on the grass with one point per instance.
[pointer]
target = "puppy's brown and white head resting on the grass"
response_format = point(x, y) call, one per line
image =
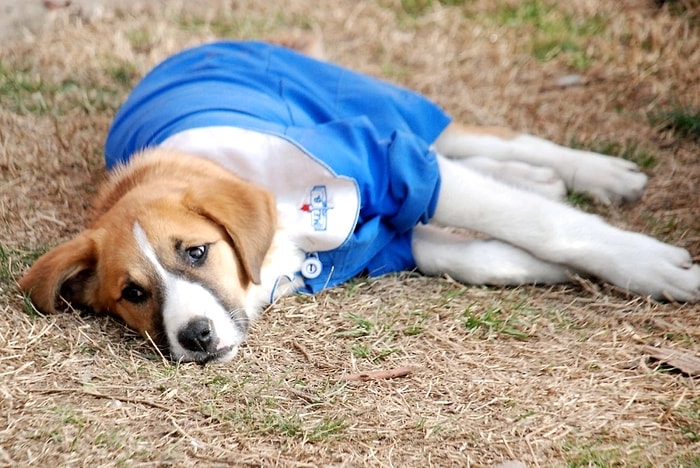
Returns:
point(174, 254)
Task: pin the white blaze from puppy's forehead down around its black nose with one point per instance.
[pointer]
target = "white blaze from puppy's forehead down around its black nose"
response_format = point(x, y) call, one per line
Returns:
point(184, 301)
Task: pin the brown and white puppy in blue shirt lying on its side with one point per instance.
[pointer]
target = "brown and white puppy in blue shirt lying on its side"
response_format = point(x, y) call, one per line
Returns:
point(245, 171)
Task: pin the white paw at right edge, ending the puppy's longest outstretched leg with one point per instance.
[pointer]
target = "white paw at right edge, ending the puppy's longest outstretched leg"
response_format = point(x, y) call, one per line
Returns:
point(652, 268)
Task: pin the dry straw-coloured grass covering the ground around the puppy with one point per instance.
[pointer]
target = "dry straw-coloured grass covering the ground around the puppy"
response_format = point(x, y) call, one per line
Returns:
point(548, 376)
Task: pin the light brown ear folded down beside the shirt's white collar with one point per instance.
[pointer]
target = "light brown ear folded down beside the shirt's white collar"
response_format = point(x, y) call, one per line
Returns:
point(247, 213)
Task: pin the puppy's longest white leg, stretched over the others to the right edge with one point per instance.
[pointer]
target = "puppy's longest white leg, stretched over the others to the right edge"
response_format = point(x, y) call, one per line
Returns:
point(562, 235)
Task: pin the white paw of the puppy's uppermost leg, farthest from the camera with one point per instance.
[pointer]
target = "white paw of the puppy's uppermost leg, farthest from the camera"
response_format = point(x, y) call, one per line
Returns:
point(608, 179)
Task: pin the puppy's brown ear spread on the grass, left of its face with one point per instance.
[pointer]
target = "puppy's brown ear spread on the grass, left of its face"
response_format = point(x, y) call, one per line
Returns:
point(66, 271)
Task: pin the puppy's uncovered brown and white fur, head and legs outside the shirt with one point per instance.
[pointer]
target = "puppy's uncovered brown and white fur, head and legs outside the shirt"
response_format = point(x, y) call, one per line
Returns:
point(188, 254)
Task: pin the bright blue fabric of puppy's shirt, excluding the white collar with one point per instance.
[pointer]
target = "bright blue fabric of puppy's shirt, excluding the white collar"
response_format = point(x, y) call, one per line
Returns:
point(373, 132)
